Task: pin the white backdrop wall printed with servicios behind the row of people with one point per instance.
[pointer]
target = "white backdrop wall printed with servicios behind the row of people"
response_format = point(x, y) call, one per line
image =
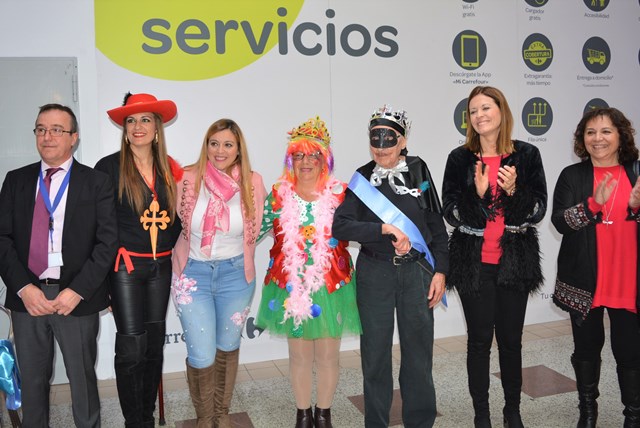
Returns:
point(277, 91)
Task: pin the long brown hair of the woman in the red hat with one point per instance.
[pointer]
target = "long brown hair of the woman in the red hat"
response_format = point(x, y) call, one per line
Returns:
point(134, 189)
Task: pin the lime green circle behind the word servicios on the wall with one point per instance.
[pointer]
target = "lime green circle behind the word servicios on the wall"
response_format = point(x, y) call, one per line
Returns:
point(191, 39)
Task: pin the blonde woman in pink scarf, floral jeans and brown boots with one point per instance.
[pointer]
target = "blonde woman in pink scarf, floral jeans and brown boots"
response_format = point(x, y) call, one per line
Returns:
point(220, 204)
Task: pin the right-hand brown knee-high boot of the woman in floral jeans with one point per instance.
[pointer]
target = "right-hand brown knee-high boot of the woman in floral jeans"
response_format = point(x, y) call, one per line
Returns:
point(226, 368)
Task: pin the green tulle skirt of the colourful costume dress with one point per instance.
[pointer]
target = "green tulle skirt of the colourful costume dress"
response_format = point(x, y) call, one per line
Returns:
point(339, 315)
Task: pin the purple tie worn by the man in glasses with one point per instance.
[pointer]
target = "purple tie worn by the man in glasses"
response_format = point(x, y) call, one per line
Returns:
point(38, 253)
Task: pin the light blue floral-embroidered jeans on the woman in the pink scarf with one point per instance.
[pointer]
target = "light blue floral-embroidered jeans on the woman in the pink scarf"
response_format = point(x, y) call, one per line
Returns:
point(213, 299)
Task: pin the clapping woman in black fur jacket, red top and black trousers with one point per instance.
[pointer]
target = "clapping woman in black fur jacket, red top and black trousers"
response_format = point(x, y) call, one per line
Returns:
point(494, 192)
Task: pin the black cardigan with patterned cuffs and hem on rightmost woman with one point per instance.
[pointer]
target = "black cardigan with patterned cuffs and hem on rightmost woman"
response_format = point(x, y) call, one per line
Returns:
point(577, 266)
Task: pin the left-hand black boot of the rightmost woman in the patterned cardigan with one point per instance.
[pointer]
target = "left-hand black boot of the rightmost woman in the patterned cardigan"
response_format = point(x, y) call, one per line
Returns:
point(587, 380)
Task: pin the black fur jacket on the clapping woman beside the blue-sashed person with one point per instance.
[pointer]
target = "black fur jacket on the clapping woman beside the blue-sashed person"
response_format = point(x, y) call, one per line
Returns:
point(519, 268)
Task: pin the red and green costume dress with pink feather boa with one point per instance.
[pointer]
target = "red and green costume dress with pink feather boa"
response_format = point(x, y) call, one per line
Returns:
point(321, 295)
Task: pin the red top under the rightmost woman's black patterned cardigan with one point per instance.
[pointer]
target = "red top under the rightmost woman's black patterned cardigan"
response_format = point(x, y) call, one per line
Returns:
point(616, 245)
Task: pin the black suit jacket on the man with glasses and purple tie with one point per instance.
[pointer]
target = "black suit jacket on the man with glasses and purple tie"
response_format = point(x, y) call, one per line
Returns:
point(88, 242)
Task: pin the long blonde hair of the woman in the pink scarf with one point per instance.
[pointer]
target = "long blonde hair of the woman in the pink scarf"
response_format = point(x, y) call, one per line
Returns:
point(242, 160)
